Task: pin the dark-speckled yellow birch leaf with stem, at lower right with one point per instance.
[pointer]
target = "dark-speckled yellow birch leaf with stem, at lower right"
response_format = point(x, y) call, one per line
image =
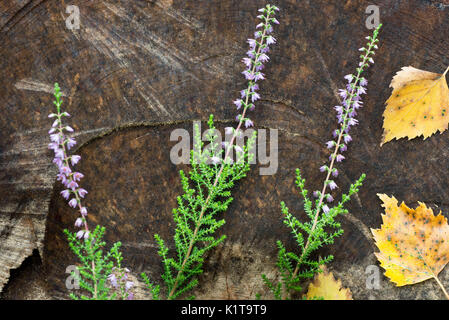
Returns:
point(413, 243)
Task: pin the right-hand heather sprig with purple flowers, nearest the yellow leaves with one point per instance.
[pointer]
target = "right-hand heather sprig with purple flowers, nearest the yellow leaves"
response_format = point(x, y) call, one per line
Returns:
point(322, 228)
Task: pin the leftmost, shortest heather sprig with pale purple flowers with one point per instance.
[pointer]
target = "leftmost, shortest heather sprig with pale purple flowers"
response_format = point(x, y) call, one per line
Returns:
point(96, 267)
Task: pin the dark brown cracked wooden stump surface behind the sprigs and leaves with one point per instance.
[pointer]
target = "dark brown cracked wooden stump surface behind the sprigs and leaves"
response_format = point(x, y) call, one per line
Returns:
point(136, 70)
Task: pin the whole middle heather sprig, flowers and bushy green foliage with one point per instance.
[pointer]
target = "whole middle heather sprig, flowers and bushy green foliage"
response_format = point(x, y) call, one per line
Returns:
point(207, 188)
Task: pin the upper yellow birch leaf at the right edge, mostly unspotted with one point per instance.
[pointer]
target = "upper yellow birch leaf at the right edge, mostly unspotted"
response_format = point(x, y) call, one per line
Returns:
point(418, 105)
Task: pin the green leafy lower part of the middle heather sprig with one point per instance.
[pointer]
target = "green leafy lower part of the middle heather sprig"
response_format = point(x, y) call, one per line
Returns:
point(207, 192)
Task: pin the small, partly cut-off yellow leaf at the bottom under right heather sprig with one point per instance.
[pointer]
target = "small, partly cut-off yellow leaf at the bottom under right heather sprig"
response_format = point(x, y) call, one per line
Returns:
point(325, 286)
